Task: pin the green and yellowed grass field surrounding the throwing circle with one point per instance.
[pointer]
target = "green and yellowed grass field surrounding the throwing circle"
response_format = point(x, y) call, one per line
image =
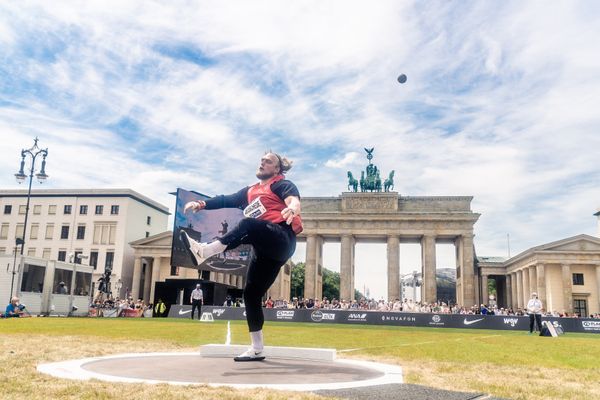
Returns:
point(503, 363)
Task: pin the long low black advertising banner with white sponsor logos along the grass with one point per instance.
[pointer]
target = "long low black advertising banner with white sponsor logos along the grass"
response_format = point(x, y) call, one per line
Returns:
point(496, 322)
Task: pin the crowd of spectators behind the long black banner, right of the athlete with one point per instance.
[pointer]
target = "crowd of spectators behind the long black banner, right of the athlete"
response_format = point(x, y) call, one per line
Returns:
point(406, 305)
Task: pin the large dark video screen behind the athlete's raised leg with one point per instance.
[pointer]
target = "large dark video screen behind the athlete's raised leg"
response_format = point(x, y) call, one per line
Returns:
point(206, 226)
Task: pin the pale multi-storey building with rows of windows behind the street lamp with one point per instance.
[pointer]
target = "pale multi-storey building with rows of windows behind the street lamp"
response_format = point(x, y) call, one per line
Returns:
point(96, 223)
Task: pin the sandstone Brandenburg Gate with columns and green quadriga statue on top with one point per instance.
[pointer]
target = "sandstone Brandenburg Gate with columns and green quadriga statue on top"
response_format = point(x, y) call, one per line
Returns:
point(389, 218)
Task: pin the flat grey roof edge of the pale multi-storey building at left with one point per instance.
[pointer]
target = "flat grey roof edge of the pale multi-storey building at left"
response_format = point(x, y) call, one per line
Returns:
point(88, 193)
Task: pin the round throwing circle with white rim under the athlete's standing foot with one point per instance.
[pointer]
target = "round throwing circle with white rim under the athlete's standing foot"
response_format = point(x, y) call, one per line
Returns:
point(191, 368)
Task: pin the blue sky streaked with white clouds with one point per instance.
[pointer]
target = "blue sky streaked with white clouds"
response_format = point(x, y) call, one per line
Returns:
point(501, 102)
